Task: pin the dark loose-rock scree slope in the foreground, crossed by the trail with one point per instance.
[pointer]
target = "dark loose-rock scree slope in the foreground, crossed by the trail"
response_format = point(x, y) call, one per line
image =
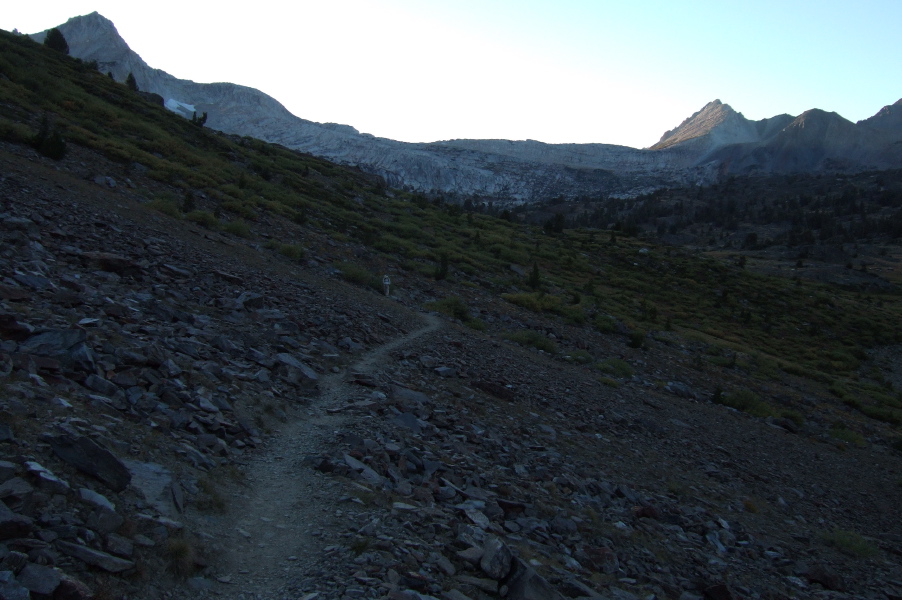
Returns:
point(187, 414)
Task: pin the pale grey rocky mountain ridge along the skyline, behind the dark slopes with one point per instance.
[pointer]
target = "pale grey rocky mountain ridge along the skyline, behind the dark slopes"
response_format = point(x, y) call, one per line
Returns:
point(713, 141)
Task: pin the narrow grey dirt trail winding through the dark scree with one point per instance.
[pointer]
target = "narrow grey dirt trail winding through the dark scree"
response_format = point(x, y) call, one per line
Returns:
point(285, 517)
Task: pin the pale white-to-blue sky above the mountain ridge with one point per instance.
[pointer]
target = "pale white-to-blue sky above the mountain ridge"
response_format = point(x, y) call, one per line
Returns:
point(616, 72)
